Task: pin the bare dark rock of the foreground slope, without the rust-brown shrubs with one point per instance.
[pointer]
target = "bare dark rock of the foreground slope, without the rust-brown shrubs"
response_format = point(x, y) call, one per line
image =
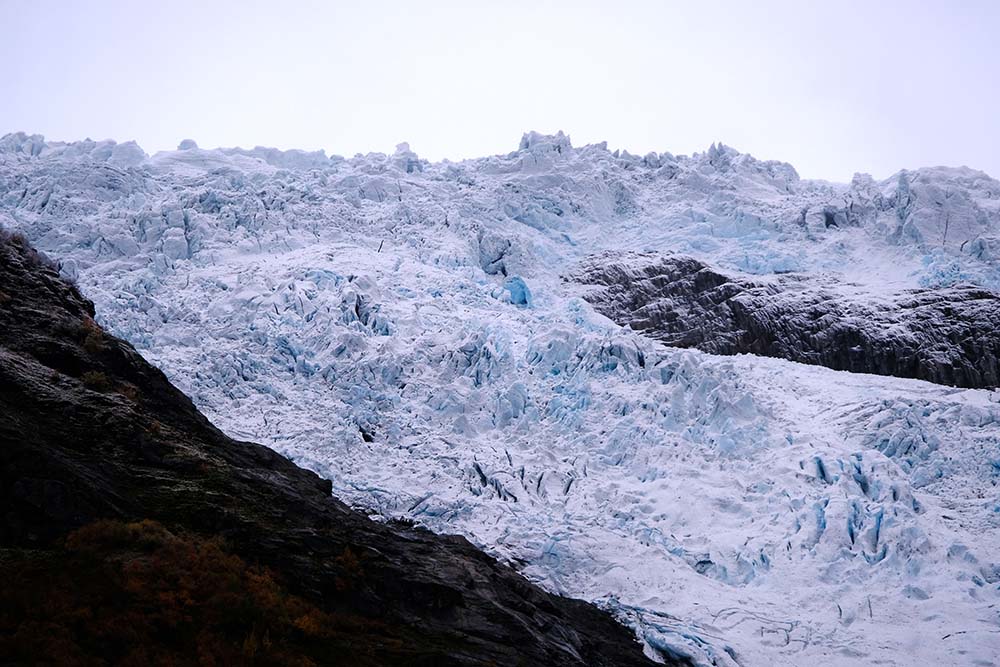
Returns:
point(89, 431)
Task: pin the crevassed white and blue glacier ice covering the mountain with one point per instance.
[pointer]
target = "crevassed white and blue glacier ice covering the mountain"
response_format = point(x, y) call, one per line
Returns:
point(402, 328)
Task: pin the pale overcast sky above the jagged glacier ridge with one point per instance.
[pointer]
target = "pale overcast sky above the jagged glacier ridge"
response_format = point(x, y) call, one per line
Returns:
point(832, 87)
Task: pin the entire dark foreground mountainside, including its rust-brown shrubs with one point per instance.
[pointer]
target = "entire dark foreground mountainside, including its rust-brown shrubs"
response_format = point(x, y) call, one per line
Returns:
point(89, 431)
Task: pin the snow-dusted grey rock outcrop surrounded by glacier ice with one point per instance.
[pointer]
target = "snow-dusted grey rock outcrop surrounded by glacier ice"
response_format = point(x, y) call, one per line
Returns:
point(948, 335)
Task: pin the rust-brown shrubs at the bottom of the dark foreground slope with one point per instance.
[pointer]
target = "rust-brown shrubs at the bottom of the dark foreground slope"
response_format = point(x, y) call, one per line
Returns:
point(138, 594)
